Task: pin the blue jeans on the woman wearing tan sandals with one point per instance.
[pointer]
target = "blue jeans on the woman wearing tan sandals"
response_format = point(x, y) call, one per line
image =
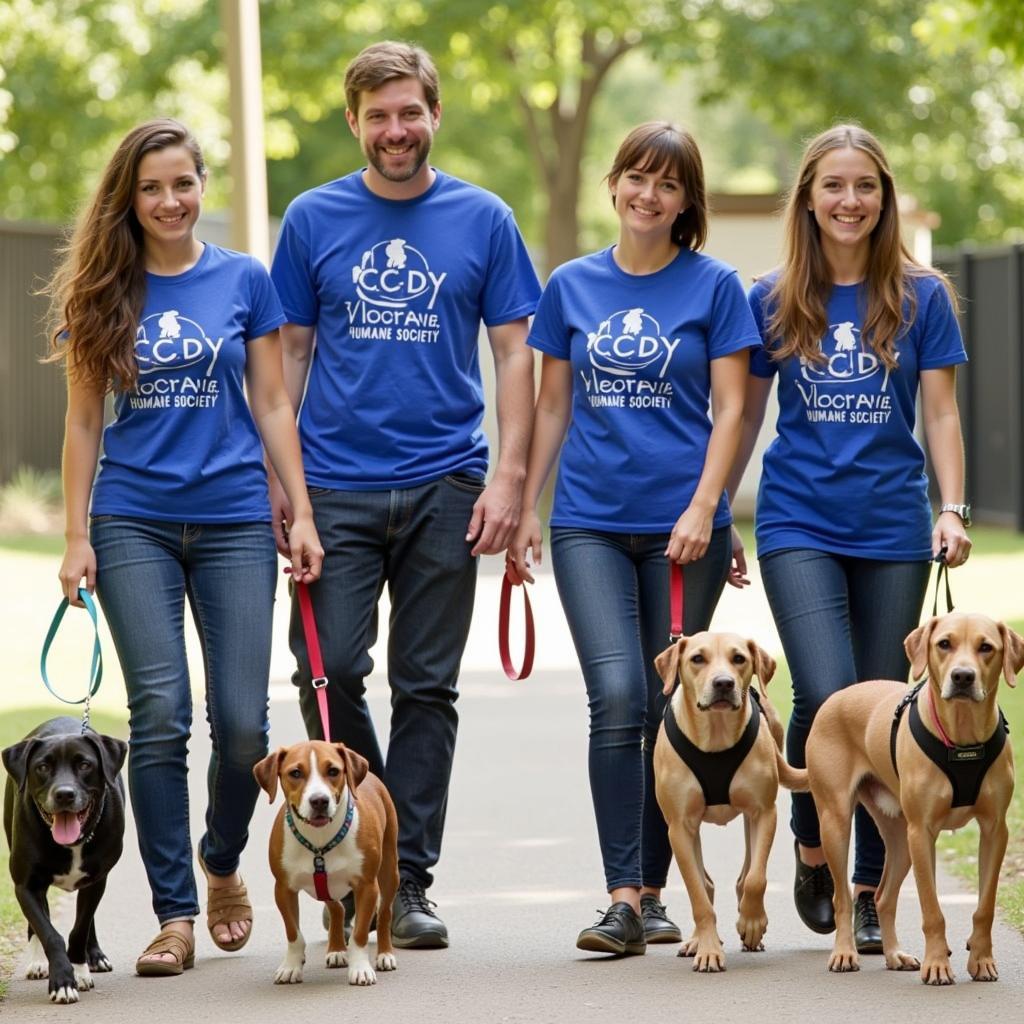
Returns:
point(145, 572)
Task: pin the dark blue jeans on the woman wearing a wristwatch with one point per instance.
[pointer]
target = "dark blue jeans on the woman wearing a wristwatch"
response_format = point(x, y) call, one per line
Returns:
point(841, 621)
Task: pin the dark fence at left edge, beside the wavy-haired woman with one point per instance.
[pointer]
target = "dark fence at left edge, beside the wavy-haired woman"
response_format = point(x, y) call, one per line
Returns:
point(32, 407)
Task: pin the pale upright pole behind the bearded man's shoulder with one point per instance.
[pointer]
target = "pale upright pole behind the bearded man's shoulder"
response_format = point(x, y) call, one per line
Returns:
point(250, 230)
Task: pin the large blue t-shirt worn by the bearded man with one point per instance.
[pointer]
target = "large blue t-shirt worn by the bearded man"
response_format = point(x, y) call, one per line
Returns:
point(397, 291)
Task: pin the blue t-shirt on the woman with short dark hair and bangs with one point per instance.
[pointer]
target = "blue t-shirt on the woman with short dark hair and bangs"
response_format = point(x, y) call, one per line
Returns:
point(642, 348)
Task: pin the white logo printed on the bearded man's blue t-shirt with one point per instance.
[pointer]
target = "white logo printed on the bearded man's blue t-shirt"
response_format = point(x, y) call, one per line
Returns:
point(398, 292)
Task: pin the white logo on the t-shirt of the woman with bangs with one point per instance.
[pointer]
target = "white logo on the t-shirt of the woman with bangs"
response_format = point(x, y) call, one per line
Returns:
point(630, 358)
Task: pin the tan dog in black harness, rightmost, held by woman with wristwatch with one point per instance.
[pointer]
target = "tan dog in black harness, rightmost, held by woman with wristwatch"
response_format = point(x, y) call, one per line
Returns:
point(849, 759)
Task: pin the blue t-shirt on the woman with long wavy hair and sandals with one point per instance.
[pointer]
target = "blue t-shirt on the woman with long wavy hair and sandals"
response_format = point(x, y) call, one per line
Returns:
point(184, 447)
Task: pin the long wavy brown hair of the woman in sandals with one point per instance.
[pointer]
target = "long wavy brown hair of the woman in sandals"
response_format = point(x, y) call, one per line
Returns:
point(98, 290)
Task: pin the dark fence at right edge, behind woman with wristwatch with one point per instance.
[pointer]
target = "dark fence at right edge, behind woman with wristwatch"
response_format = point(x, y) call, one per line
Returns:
point(991, 391)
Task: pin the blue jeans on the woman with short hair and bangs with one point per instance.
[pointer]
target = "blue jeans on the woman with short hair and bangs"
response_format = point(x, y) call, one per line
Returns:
point(615, 590)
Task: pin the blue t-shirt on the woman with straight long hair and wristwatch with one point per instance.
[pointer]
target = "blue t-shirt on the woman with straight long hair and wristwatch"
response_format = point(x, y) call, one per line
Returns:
point(846, 474)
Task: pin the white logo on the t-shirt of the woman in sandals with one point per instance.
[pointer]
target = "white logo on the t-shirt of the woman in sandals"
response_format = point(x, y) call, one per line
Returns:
point(166, 346)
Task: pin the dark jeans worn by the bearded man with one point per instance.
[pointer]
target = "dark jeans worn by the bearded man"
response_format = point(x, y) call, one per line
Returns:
point(415, 541)
